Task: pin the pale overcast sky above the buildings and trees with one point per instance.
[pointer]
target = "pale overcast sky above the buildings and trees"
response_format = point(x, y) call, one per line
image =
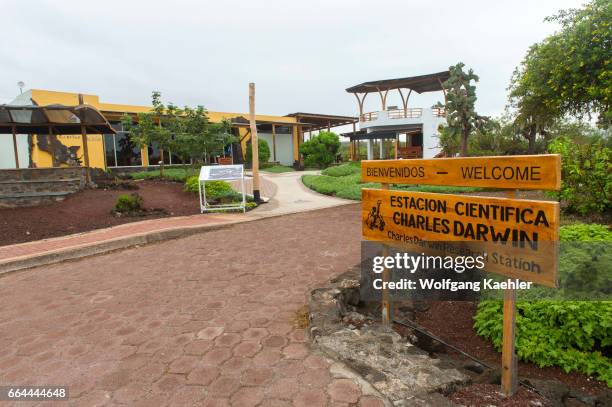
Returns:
point(302, 55)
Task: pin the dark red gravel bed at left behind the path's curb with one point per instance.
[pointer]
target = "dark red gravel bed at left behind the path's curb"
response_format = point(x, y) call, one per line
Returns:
point(91, 209)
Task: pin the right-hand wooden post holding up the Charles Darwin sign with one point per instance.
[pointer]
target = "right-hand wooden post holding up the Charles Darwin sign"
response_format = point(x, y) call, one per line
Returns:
point(509, 363)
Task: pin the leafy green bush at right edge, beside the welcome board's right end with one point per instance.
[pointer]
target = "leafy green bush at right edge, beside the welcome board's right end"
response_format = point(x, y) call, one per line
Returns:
point(586, 175)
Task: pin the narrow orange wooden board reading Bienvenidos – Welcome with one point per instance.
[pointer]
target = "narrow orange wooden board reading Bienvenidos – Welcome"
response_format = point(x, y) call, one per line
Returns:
point(515, 172)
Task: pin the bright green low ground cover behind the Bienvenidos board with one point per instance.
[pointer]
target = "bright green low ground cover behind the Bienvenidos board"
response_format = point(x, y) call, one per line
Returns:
point(344, 181)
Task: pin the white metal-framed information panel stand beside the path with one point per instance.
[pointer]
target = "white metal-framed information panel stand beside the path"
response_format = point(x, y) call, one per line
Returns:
point(220, 173)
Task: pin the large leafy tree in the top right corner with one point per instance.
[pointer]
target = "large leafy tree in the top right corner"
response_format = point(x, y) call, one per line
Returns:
point(569, 72)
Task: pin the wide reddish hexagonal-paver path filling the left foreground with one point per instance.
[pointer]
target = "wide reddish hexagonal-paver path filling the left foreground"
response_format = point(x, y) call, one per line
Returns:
point(205, 320)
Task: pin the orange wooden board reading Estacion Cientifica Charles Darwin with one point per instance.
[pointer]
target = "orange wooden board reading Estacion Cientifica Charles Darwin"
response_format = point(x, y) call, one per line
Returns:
point(518, 236)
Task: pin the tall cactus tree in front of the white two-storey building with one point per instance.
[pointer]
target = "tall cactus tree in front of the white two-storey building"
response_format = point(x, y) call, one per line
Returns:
point(461, 115)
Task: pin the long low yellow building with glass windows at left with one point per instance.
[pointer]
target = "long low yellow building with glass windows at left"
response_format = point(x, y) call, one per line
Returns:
point(283, 134)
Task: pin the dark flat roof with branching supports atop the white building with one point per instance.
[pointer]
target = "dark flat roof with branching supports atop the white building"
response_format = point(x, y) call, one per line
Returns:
point(420, 84)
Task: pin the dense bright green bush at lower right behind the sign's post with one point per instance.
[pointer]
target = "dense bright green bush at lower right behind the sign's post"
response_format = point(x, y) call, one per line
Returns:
point(575, 335)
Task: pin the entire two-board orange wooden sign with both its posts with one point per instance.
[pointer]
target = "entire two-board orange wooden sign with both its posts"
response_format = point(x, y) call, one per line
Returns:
point(401, 217)
